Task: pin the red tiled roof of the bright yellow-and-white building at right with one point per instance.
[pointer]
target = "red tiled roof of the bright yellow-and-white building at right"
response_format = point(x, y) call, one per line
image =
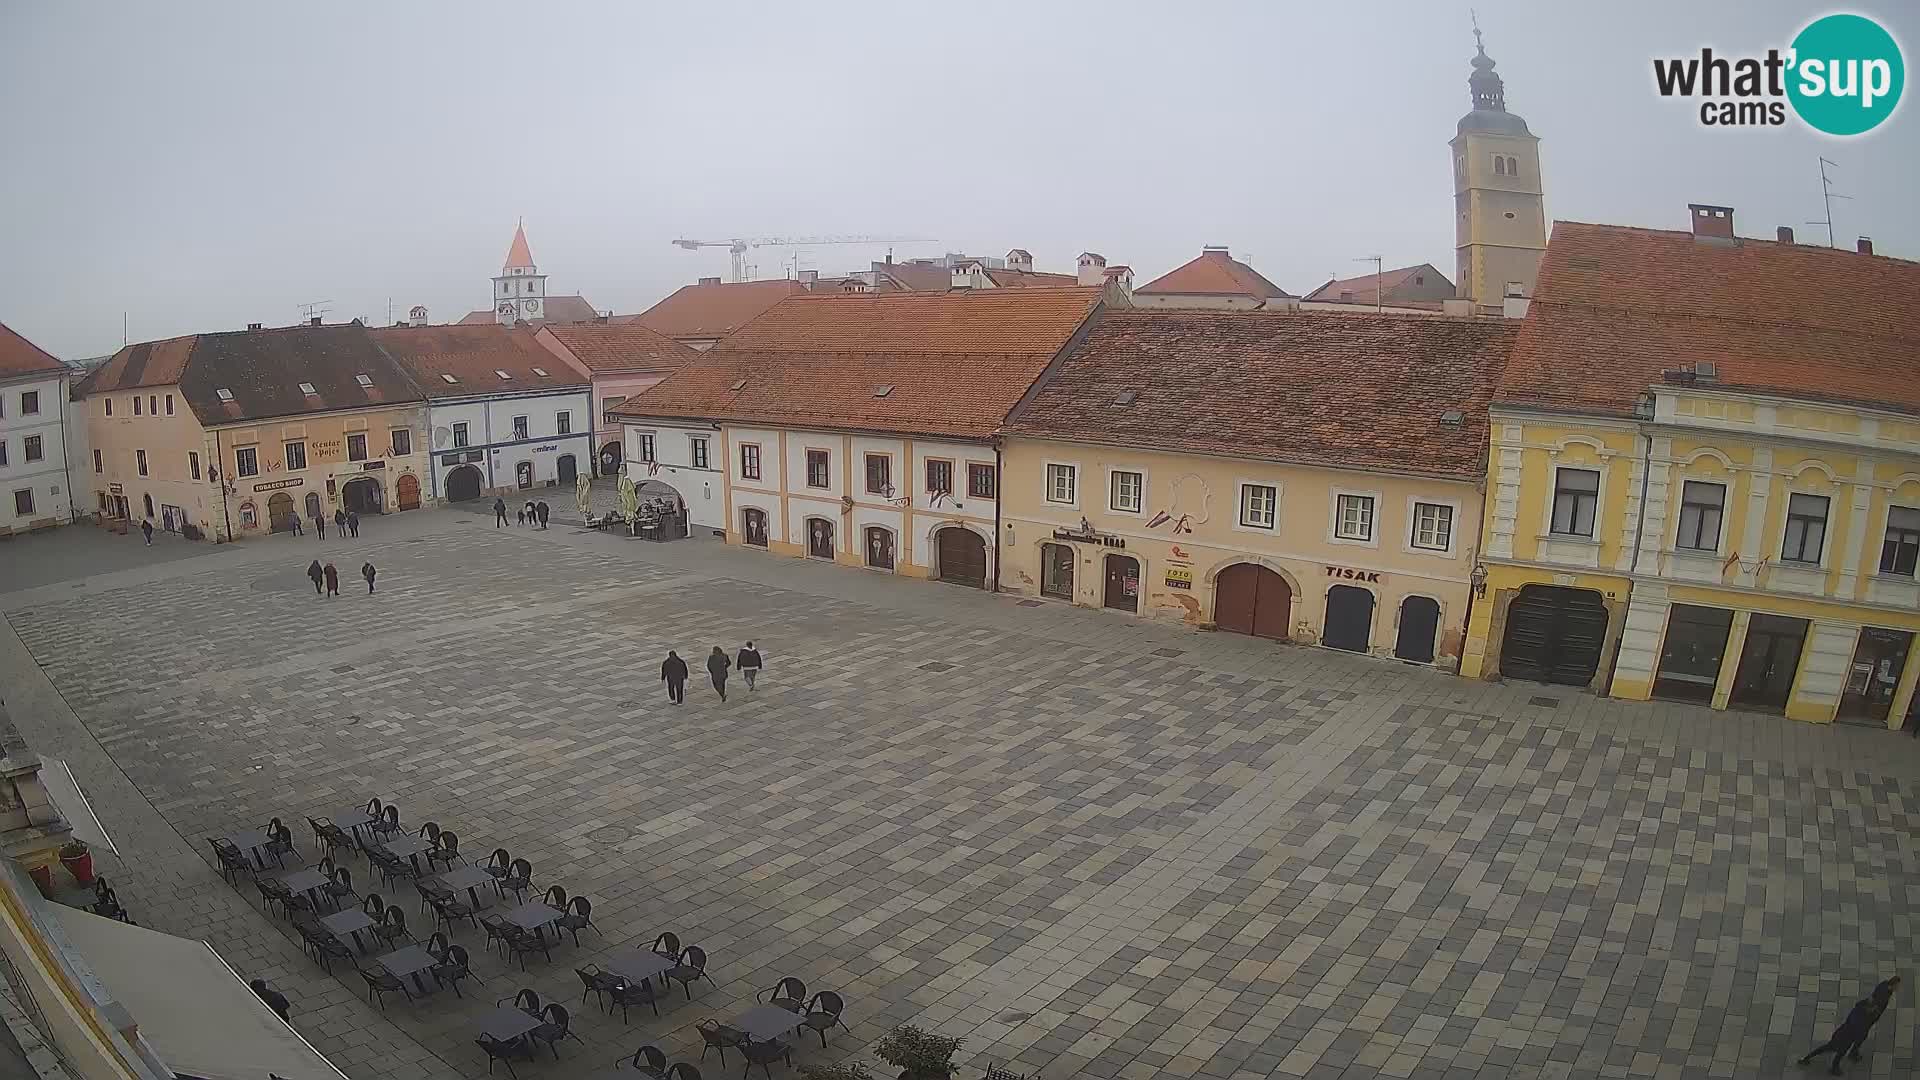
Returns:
point(1620, 307)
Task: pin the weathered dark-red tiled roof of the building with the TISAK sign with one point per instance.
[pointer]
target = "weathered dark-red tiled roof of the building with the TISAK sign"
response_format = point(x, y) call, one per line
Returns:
point(1308, 387)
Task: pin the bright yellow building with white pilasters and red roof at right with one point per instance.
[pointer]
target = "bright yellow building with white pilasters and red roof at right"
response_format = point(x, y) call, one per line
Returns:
point(1704, 479)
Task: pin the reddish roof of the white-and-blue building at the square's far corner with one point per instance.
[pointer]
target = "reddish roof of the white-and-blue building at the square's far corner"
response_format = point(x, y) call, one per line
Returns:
point(475, 356)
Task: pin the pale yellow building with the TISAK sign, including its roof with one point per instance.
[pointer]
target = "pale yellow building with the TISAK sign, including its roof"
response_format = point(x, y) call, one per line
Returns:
point(1305, 478)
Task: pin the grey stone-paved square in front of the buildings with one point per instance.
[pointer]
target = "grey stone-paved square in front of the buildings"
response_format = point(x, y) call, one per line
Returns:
point(1090, 845)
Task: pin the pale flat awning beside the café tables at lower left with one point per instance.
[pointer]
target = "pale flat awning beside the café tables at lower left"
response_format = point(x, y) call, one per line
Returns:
point(197, 1014)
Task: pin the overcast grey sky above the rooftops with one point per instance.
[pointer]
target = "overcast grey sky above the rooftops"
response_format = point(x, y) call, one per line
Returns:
point(199, 166)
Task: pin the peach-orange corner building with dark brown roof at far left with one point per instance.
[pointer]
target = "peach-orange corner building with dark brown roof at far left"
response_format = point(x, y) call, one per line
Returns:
point(243, 433)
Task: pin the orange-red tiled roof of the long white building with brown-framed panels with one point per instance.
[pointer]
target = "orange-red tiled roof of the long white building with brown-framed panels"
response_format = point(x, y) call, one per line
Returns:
point(955, 362)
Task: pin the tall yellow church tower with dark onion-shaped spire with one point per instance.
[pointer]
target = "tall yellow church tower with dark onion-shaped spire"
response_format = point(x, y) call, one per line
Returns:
point(1500, 228)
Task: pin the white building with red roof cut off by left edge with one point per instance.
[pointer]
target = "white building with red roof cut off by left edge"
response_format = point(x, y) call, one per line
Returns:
point(34, 437)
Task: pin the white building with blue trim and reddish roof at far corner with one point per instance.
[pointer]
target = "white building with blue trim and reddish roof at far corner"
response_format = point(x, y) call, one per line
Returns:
point(504, 412)
